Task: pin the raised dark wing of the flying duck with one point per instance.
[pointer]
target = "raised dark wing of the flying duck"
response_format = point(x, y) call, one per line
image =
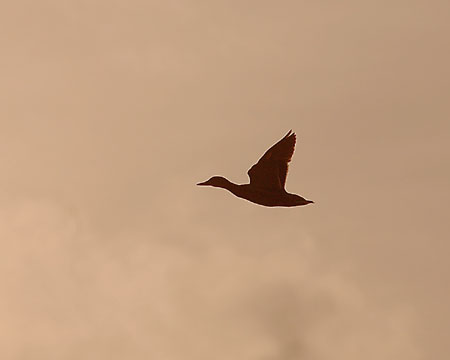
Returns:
point(271, 170)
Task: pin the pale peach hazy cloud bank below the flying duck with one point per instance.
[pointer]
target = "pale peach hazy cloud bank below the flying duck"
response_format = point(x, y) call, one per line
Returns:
point(152, 292)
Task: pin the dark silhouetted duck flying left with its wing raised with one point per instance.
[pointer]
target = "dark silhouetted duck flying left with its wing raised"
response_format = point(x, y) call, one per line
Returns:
point(267, 178)
